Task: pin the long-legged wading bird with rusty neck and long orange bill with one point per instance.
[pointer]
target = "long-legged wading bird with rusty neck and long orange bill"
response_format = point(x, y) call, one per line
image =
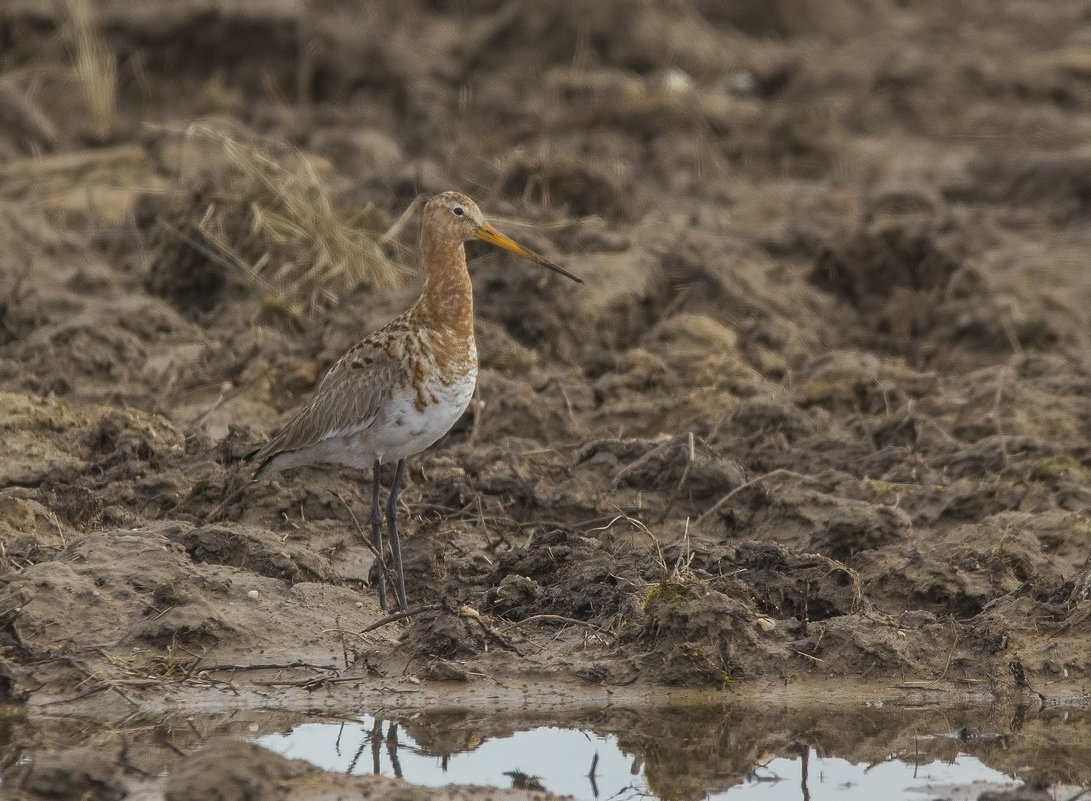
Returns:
point(401, 389)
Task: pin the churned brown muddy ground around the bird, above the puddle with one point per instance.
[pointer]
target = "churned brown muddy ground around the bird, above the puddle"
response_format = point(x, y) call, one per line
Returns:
point(820, 416)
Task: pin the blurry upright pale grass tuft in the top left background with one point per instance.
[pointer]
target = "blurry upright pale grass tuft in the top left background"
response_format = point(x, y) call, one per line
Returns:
point(97, 68)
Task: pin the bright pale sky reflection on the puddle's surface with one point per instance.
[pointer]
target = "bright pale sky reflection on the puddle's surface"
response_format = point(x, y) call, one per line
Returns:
point(589, 766)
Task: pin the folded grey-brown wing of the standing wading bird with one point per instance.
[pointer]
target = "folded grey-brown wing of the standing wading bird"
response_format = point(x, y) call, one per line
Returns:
point(346, 400)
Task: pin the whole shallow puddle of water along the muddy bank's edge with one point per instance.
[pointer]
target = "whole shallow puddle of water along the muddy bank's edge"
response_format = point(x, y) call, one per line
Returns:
point(723, 751)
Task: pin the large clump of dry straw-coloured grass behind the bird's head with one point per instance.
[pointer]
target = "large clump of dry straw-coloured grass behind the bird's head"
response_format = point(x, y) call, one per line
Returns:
point(261, 209)
